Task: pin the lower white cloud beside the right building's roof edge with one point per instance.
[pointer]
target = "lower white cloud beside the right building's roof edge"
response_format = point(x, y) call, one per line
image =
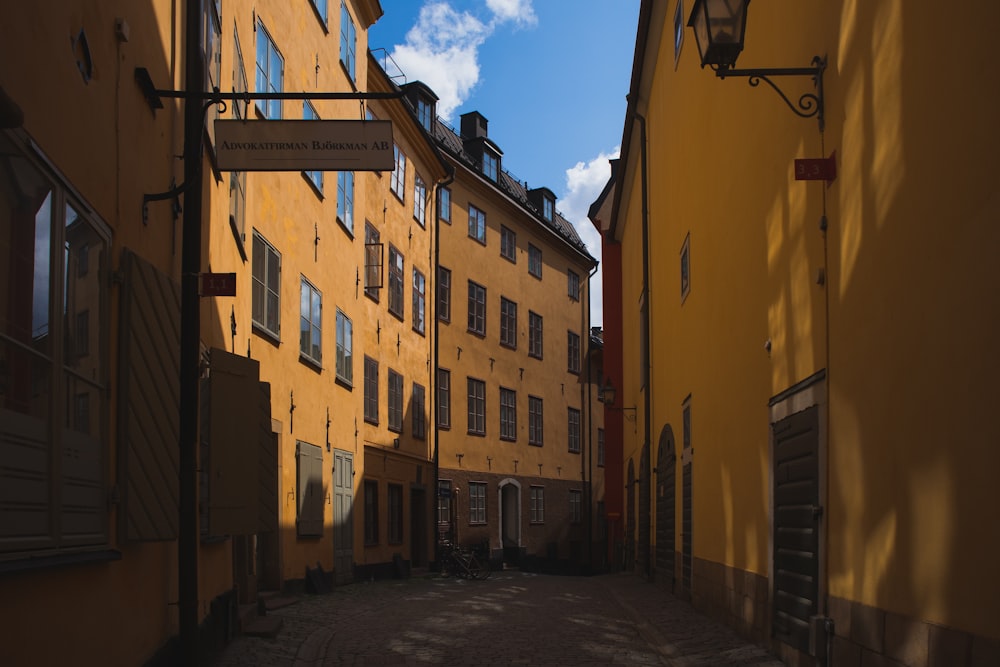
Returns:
point(584, 183)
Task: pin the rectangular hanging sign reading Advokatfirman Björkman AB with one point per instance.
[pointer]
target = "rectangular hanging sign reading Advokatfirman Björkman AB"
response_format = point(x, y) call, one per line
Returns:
point(304, 145)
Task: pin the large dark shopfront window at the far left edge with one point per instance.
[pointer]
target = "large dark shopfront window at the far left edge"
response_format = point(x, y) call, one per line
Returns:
point(53, 465)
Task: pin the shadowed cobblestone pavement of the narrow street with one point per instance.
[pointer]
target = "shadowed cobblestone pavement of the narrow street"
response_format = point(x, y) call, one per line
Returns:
point(514, 618)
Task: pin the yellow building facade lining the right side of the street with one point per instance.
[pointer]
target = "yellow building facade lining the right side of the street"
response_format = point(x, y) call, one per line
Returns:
point(819, 361)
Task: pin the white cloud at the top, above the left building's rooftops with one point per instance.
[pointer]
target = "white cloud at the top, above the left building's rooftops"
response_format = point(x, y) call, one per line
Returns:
point(442, 49)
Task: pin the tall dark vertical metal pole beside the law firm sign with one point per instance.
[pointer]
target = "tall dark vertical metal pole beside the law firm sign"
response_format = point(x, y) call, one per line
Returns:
point(187, 543)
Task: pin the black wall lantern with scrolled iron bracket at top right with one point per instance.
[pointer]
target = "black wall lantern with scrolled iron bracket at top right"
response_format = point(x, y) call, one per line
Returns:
point(719, 29)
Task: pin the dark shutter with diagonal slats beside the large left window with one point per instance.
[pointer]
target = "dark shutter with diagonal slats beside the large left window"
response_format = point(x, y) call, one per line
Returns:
point(149, 401)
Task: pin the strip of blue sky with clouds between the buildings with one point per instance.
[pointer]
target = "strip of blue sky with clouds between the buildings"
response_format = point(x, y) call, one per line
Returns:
point(550, 76)
